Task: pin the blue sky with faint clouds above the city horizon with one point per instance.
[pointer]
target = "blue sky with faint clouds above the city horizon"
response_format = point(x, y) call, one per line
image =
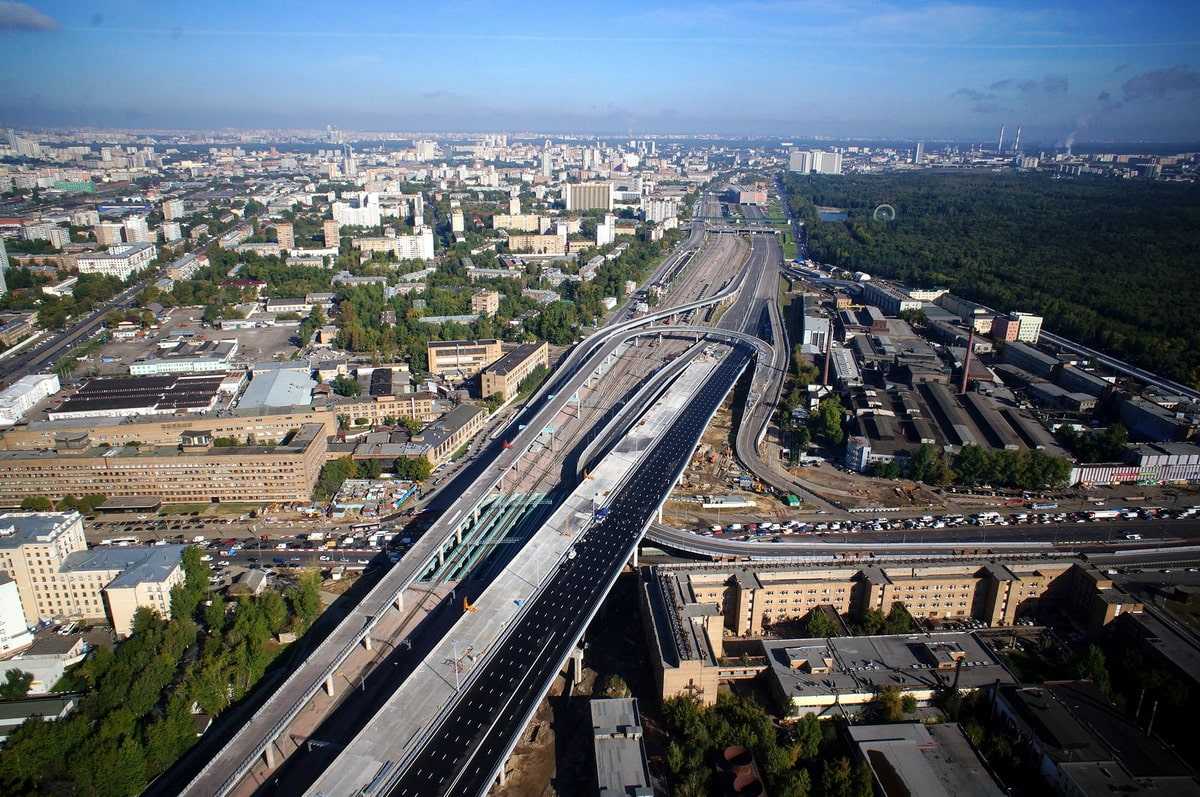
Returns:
point(825, 68)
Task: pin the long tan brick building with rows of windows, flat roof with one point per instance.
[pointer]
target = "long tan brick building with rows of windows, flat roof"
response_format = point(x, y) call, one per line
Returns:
point(194, 471)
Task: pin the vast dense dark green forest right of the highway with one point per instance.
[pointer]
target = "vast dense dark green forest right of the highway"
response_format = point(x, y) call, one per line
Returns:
point(1111, 263)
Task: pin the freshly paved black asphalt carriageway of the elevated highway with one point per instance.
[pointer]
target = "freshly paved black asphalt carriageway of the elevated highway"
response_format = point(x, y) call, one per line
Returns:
point(465, 751)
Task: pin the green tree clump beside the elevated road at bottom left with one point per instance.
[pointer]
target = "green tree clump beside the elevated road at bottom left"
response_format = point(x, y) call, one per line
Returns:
point(135, 718)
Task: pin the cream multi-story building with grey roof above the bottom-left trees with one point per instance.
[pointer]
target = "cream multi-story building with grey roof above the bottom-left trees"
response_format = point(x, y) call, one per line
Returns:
point(59, 578)
